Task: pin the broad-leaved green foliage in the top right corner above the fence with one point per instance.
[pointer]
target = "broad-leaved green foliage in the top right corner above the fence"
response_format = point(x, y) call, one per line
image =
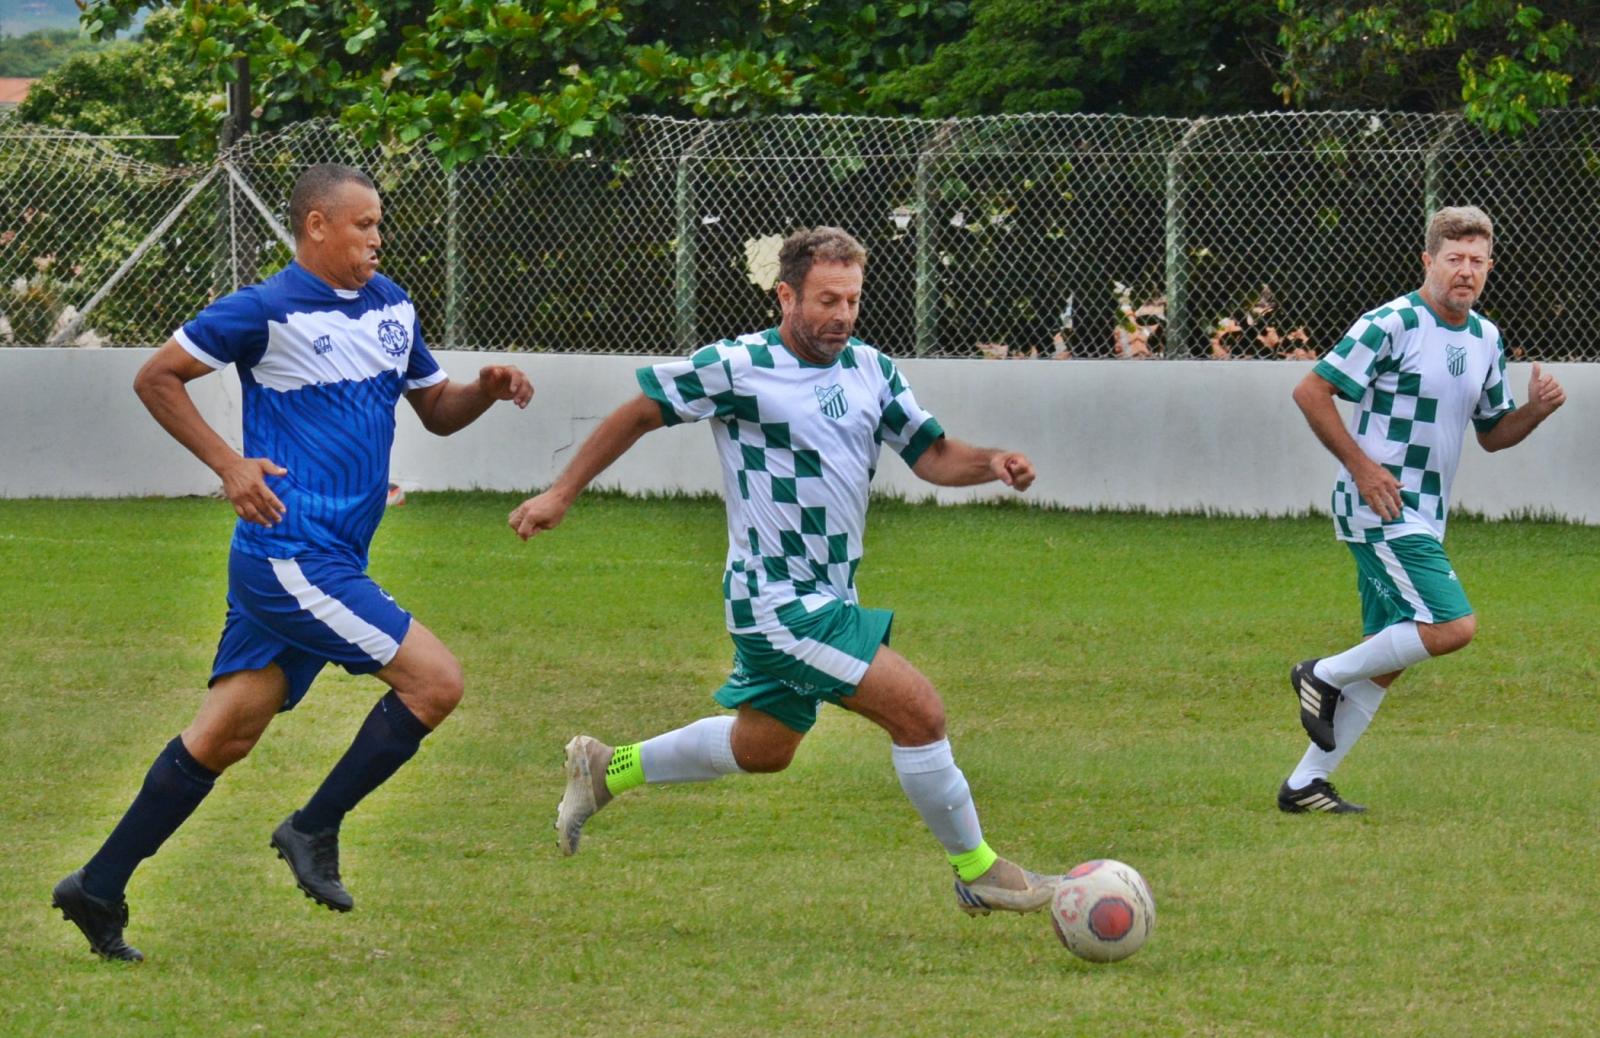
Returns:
point(1498, 60)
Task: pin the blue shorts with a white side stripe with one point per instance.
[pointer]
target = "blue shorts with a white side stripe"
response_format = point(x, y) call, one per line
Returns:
point(305, 613)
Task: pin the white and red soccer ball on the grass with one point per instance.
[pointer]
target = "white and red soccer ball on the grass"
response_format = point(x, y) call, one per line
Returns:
point(1103, 911)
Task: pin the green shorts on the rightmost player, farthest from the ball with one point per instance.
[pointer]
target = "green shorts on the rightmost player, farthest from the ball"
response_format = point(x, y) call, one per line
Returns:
point(1407, 580)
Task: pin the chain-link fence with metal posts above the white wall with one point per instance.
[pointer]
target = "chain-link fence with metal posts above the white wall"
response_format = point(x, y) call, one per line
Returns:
point(1033, 236)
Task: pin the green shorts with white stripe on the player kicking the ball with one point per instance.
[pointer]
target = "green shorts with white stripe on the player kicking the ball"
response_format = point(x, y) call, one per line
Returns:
point(820, 658)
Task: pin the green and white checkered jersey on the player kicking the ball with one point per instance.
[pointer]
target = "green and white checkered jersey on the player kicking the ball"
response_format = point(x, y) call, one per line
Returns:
point(799, 445)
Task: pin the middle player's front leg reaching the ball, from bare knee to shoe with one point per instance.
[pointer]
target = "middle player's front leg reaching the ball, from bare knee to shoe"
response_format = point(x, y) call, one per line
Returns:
point(900, 700)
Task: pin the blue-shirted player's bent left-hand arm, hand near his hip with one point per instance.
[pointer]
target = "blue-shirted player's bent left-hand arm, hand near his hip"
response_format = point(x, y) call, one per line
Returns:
point(161, 386)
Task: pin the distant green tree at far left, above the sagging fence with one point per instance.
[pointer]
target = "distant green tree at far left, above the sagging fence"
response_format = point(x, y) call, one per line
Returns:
point(138, 87)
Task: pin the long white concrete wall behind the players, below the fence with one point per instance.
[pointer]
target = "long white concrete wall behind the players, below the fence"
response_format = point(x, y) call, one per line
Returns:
point(1150, 434)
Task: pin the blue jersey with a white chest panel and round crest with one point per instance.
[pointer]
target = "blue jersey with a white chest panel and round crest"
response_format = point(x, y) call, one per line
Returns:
point(322, 370)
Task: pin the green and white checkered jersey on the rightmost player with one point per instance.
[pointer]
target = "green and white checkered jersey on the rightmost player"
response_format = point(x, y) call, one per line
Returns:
point(1417, 381)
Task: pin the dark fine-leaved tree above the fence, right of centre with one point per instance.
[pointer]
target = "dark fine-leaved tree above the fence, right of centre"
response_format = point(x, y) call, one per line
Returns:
point(1142, 58)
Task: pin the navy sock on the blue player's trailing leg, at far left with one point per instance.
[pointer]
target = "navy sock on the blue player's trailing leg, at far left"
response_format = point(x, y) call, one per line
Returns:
point(174, 788)
